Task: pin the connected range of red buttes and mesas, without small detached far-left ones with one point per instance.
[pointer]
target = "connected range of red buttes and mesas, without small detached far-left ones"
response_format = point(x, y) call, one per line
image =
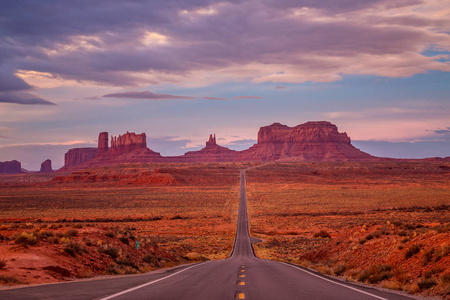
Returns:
point(312, 141)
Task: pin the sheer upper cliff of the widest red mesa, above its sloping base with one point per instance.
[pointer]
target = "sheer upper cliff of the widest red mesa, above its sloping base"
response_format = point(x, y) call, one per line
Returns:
point(310, 132)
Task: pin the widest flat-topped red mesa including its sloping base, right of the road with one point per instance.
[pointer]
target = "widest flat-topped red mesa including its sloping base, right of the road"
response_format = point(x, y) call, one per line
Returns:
point(312, 141)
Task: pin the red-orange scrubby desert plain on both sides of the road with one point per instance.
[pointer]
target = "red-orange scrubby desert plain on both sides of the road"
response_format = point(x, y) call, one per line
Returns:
point(381, 223)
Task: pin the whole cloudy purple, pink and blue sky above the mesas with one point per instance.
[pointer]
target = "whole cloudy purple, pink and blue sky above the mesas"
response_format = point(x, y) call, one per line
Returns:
point(179, 70)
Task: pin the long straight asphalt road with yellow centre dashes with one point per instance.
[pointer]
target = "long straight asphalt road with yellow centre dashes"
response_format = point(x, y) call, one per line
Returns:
point(242, 276)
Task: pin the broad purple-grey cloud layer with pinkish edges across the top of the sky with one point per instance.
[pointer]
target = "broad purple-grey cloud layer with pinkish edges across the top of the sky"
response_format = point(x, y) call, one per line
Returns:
point(252, 41)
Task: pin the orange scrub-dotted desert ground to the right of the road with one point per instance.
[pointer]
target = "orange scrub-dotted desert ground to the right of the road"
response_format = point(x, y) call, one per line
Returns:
point(377, 214)
